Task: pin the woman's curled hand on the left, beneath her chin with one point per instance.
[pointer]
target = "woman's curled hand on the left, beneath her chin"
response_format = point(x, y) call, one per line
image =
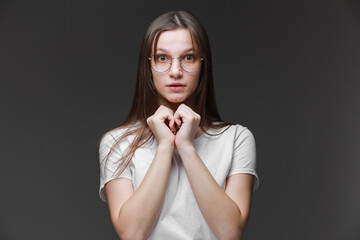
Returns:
point(157, 123)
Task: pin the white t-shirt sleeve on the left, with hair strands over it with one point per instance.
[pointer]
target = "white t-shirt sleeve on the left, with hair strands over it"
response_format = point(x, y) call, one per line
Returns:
point(109, 166)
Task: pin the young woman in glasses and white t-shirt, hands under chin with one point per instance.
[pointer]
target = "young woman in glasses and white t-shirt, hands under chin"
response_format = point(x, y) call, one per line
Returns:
point(174, 169)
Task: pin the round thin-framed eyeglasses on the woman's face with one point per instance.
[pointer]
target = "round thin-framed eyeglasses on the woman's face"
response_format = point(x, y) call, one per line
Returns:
point(162, 63)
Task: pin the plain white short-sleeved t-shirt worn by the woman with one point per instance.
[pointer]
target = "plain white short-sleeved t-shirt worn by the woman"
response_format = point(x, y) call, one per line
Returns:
point(230, 153)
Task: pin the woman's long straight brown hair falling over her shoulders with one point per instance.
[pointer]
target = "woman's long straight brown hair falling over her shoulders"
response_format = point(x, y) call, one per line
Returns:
point(145, 100)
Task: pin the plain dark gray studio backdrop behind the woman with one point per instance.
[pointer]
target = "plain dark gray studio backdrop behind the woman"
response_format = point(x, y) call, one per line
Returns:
point(288, 70)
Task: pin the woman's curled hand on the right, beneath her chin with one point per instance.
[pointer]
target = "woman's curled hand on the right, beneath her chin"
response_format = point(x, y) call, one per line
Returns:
point(188, 121)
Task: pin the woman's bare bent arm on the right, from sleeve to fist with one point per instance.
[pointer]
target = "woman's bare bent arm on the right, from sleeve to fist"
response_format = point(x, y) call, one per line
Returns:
point(226, 212)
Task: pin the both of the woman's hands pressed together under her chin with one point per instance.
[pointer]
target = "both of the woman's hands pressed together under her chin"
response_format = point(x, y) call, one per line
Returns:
point(177, 128)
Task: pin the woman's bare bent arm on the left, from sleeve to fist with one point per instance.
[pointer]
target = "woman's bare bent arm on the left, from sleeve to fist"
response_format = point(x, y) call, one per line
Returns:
point(134, 213)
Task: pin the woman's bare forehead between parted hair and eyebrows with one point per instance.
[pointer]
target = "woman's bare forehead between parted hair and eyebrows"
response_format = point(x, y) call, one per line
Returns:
point(175, 40)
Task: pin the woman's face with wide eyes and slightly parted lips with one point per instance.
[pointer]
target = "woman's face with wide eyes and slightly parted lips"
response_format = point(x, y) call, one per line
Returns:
point(175, 85)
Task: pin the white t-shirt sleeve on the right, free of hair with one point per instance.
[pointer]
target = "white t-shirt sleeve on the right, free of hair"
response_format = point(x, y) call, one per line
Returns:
point(244, 155)
